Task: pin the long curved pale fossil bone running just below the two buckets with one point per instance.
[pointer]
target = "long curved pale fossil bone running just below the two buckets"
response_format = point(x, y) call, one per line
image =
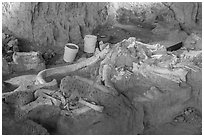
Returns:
point(70, 68)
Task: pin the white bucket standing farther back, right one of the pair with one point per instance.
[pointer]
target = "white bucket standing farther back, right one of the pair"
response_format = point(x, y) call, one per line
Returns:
point(90, 43)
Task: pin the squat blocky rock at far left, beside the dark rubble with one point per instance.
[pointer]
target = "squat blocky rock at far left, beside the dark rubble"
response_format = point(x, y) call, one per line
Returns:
point(24, 61)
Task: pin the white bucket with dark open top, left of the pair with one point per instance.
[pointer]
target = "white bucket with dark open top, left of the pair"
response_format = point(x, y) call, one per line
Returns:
point(70, 51)
